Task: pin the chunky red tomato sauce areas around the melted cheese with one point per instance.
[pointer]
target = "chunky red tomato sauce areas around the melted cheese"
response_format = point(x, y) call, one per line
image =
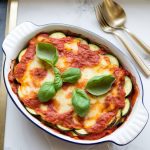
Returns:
point(83, 58)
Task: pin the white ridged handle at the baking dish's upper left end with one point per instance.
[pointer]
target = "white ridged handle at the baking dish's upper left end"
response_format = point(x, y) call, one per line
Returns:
point(21, 34)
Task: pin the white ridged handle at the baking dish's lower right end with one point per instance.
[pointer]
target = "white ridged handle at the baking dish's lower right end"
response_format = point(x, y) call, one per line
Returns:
point(133, 127)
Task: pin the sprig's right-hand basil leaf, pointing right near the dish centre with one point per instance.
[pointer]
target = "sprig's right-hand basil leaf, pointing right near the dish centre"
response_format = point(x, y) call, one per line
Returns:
point(71, 75)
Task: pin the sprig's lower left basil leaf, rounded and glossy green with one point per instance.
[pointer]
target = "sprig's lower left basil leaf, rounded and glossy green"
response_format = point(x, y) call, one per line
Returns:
point(46, 92)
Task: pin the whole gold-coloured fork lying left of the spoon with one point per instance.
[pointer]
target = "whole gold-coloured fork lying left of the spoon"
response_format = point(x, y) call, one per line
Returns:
point(106, 28)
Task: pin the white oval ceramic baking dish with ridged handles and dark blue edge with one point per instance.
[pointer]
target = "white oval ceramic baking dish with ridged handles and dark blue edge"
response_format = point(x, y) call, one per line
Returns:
point(16, 41)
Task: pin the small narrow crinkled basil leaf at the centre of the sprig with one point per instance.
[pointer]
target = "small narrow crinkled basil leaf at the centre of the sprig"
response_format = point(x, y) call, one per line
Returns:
point(58, 80)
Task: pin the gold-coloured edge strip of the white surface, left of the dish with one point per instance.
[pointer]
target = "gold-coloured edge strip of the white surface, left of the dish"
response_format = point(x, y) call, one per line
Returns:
point(11, 20)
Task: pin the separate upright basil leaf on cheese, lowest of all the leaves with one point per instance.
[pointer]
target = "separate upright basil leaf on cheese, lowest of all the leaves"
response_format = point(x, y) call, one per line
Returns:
point(80, 102)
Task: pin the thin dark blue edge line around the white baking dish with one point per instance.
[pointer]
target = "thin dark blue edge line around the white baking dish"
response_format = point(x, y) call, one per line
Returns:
point(90, 32)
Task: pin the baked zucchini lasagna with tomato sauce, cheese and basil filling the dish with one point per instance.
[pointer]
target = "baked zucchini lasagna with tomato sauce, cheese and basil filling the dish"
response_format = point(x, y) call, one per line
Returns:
point(73, 86)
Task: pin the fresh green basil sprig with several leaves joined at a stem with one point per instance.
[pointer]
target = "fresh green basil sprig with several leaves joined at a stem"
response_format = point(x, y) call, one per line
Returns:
point(48, 53)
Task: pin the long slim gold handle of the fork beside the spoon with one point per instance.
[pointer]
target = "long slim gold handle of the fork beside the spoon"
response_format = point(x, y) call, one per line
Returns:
point(134, 55)
